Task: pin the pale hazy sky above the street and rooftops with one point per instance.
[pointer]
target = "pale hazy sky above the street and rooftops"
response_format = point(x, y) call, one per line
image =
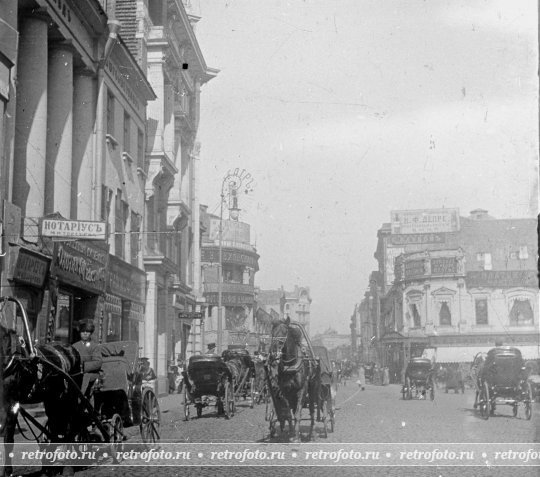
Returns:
point(343, 110)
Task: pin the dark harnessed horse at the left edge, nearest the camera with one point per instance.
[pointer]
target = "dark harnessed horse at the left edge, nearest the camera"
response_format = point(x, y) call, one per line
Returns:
point(34, 375)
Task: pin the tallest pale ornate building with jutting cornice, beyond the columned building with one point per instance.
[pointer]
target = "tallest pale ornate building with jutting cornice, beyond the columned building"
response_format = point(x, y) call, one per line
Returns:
point(161, 35)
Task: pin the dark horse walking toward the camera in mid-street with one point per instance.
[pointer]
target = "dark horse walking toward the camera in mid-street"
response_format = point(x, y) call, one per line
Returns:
point(291, 375)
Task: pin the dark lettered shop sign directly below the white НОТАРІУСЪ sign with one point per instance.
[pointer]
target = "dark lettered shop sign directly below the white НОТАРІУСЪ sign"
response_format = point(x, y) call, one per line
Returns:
point(80, 264)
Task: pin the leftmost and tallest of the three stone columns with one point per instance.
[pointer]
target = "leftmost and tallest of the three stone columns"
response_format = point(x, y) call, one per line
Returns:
point(31, 118)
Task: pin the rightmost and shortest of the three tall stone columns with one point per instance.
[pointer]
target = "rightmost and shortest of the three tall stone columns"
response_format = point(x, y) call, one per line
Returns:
point(84, 115)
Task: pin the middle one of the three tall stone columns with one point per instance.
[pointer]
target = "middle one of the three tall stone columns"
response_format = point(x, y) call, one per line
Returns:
point(60, 130)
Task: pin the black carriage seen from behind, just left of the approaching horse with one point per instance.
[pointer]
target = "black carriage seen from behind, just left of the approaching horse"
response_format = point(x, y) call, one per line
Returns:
point(207, 377)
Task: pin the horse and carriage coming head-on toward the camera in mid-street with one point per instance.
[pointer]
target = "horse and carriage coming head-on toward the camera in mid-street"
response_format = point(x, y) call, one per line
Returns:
point(297, 378)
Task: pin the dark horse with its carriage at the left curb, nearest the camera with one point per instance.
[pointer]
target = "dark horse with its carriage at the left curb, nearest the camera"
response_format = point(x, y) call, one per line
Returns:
point(52, 374)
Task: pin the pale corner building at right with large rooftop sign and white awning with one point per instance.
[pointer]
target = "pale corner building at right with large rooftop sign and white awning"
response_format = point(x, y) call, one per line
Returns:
point(454, 285)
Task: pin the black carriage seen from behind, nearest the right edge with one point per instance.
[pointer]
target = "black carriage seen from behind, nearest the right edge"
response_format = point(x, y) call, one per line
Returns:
point(503, 380)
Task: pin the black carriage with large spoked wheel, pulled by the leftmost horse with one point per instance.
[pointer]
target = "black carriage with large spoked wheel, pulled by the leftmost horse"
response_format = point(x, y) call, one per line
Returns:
point(121, 396)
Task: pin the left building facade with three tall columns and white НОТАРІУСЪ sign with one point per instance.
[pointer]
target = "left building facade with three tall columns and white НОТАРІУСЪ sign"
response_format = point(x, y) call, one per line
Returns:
point(67, 259)
